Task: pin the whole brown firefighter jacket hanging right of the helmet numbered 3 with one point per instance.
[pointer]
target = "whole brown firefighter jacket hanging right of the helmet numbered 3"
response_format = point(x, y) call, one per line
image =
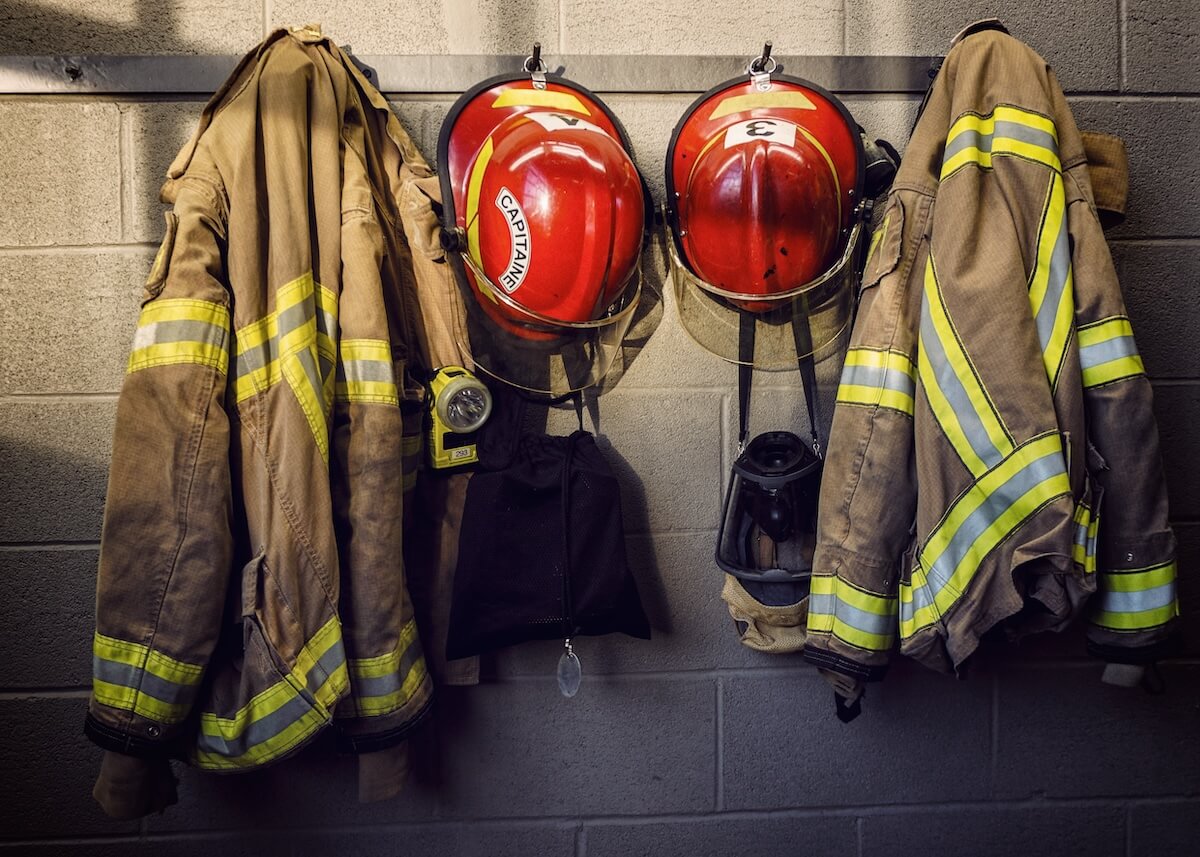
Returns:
point(994, 459)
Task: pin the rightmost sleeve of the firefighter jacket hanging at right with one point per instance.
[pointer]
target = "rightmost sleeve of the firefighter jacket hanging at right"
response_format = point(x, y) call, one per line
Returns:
point(1133, 615)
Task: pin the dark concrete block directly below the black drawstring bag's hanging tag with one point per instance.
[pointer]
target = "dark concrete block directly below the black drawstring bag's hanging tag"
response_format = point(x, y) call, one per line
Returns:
point(621, 747)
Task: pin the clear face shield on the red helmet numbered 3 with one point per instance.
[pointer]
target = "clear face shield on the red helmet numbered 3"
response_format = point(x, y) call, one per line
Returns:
point(713, 316)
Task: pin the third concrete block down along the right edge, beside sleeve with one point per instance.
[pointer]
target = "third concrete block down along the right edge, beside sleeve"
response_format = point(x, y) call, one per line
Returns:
point(1157, 281)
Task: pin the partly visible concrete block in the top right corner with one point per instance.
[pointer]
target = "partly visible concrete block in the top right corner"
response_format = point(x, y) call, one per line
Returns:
point(1162, 46)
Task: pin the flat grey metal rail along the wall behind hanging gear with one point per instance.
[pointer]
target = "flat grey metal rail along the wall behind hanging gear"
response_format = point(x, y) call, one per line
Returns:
point(181, 75)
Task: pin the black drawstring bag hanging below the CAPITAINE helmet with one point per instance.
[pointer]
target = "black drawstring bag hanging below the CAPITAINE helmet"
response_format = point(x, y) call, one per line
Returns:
point(542, 552)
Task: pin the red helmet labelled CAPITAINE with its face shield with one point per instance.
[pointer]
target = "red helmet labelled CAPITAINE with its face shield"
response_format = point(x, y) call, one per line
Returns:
point(548, 213)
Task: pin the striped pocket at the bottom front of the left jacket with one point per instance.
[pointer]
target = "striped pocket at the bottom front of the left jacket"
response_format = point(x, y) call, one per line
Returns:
point(265, 705)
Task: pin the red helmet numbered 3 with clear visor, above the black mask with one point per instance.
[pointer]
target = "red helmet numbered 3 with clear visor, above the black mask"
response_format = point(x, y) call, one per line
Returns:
point(765, 182)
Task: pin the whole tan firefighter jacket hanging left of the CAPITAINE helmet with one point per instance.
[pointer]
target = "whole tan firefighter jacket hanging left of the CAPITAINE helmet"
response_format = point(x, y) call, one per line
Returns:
point(251, 586)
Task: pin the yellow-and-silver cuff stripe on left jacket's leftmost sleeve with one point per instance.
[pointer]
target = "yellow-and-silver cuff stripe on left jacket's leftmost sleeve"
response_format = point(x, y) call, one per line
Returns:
point(137, 679)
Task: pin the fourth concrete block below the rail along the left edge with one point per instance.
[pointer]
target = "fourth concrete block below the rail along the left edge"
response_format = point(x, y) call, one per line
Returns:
point(47, 619)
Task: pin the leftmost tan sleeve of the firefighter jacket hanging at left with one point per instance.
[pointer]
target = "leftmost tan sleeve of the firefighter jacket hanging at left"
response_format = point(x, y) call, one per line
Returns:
point(166, 546)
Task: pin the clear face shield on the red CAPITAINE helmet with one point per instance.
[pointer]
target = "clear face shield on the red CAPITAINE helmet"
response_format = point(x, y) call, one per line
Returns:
point(535, 352)
